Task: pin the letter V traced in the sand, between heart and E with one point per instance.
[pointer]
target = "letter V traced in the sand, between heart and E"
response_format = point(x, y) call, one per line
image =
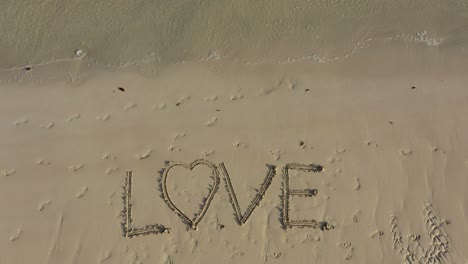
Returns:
point(241, 219)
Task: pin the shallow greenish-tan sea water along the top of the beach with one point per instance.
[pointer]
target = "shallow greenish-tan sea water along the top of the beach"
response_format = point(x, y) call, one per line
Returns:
point(118, 33)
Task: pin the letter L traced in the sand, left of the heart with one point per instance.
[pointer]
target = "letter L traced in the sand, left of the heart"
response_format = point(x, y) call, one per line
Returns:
point(127, 229)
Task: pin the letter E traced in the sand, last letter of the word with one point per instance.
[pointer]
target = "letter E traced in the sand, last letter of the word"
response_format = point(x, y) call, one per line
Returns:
point(285, 221)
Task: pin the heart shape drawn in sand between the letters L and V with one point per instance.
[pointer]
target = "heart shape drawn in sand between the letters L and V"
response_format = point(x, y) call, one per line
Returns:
point(192, 222)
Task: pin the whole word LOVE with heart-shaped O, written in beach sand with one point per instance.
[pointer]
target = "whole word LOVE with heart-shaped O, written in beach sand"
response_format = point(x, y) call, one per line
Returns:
point(241, 218)
